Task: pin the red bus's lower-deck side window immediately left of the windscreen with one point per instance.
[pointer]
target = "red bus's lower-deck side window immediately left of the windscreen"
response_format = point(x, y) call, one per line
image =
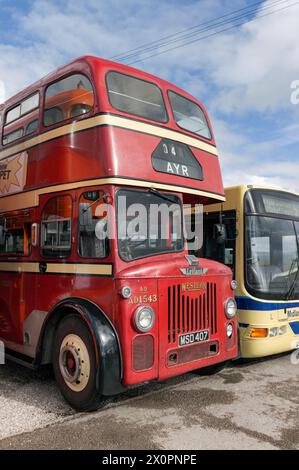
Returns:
point(92, 226)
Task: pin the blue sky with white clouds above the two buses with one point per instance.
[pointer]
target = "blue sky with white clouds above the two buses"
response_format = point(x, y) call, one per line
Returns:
point(243, 75)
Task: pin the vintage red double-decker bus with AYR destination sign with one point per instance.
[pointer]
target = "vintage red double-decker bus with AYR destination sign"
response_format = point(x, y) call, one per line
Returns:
point(108, 312)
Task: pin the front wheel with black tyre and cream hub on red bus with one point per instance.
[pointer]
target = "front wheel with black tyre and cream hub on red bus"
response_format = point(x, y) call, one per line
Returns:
point(74, 363)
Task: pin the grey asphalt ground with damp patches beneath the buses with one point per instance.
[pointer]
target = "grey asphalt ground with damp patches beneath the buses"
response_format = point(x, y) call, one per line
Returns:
point(247, 406)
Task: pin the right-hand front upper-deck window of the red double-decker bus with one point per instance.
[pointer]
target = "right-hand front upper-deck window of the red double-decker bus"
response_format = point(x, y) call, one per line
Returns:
point(188, 115)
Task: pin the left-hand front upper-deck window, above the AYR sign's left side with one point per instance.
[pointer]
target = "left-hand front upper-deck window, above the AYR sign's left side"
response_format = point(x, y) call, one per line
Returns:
point(134, 96)
